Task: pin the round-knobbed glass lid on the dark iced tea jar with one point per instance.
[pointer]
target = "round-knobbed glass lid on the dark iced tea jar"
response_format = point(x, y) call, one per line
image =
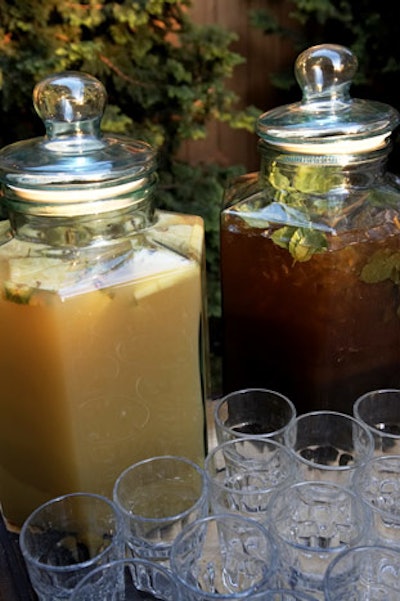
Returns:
point(327, 119)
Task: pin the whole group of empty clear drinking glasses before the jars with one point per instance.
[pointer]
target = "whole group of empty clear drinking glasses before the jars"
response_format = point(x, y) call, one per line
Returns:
point(286, 507)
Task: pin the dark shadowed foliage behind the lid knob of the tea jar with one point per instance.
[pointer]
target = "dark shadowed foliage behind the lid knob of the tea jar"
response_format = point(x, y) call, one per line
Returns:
point(368, 28)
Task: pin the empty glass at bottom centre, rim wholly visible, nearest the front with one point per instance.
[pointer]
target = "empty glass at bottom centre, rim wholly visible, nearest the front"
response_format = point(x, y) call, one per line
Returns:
point(221, 557)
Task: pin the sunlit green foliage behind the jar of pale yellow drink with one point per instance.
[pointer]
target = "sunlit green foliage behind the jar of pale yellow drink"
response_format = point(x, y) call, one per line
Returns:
point(165, 77)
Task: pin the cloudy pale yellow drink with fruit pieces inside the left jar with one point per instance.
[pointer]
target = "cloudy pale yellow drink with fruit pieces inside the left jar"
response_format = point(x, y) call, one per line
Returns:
point(98, 369)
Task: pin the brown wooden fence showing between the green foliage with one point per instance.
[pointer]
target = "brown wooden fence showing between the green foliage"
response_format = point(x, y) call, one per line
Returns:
point(263, 55)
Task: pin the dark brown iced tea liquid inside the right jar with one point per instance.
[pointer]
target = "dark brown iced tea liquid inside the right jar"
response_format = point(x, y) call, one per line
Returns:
point(323, 331)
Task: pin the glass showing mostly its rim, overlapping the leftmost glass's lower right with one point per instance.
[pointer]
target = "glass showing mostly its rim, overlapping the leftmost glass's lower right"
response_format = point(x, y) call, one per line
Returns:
point(127, 580)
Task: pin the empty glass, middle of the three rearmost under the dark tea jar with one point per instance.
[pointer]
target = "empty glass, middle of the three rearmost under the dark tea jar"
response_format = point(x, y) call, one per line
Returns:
point(328, 445)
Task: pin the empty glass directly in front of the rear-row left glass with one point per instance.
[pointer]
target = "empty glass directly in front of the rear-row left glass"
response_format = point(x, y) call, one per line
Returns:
point(243, 473)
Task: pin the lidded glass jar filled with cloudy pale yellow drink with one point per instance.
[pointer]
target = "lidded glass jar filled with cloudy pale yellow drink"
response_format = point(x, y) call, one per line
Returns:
point(101, 308)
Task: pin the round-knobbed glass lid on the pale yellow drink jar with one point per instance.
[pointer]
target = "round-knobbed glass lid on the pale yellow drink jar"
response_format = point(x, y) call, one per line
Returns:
point(74, 163)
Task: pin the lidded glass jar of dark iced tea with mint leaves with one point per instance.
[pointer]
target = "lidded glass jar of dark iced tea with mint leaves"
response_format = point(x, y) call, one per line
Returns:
point(310, 247)
